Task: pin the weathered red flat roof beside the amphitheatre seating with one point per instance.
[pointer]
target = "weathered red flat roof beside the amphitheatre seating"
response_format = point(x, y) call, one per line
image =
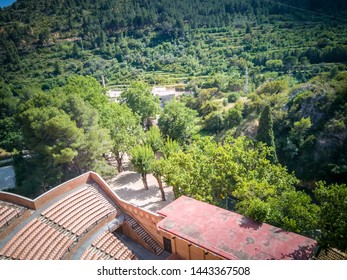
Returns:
point(231, 235)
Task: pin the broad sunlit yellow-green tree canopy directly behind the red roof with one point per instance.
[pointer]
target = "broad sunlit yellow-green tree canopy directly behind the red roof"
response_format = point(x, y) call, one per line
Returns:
point(265, 192)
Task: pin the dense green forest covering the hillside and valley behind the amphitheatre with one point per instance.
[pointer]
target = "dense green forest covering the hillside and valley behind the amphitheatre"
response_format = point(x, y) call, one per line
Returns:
point(258, 125)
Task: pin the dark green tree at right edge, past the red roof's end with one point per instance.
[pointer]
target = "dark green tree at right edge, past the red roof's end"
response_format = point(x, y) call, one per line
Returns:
point(333, 215)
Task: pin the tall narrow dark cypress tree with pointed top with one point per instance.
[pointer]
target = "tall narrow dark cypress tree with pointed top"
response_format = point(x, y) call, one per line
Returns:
point(265, 132)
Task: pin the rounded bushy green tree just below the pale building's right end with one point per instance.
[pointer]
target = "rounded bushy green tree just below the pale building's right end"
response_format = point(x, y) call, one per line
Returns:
point(177, 121)
